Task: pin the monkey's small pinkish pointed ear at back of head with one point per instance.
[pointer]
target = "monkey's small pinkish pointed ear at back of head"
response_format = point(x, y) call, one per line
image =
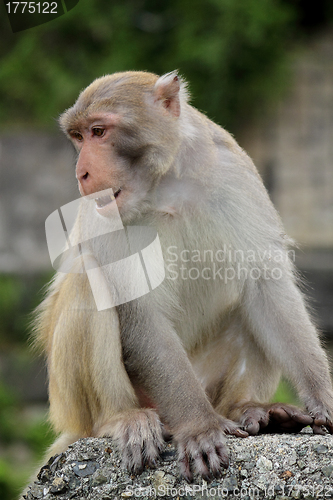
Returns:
point(167, 90)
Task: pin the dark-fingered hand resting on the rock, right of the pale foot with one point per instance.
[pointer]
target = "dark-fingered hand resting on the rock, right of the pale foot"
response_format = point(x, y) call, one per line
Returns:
point(204, 452)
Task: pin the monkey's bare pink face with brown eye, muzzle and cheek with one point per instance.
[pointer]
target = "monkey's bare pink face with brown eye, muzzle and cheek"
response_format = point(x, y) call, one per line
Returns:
point(105, 173)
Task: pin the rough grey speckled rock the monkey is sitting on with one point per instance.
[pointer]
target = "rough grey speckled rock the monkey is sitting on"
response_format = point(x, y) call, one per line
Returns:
point(269, 466)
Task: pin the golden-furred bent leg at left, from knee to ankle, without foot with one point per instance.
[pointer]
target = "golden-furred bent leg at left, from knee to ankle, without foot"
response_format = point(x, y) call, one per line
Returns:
point(88, 384)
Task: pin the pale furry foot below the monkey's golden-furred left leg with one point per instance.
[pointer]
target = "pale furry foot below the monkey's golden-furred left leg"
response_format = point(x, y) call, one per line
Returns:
point(138, 435)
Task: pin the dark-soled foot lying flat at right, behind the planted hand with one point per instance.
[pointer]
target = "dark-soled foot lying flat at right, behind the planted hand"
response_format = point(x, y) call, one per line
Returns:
point(273, 417)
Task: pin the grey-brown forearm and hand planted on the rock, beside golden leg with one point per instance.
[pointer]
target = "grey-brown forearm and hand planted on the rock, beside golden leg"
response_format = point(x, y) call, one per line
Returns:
point(158, 365)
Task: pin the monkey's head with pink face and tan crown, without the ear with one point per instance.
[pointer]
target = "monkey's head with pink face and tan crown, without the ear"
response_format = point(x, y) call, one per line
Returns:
point(124, 141)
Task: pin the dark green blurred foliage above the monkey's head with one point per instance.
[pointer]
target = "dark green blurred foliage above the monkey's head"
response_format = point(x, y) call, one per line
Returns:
point(233, 52)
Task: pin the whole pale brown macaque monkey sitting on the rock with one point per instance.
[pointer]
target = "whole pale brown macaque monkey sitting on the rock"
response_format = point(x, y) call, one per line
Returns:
point(201, 355)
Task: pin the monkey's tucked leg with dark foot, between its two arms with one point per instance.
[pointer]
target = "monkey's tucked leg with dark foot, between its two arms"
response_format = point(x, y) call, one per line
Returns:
point(240, 380)
